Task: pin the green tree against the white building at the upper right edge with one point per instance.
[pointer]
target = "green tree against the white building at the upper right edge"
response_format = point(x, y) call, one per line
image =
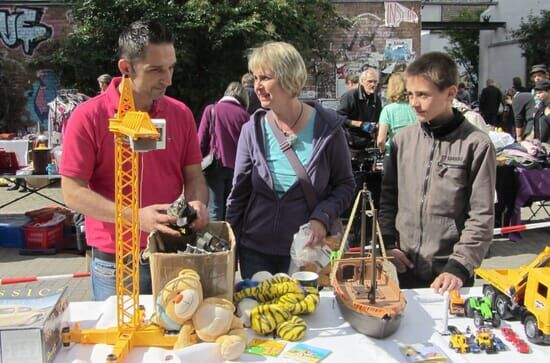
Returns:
point(534, 37)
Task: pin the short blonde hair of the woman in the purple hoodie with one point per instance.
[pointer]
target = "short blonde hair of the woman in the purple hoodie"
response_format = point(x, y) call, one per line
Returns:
point(284, 61)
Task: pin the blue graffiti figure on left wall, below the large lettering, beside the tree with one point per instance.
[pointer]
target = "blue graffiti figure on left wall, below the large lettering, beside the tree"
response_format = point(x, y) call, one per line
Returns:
point(43, 91)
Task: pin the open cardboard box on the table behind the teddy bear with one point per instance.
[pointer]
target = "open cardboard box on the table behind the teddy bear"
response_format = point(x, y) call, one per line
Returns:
point(217, 270)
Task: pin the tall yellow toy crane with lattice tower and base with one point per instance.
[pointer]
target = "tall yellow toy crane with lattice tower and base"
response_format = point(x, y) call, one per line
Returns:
point(134, 131)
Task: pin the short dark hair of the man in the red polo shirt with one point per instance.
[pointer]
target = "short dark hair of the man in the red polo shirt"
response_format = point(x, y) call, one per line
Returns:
point(136, 36)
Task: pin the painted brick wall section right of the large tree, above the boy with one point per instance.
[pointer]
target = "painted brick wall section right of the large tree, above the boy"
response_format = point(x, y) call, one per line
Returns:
point(381, 36)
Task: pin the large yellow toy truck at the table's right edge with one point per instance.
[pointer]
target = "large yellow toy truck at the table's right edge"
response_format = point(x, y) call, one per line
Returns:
point(522, 293)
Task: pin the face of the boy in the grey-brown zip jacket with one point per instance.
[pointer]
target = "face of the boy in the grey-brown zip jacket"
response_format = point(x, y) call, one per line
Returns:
point(427, 100)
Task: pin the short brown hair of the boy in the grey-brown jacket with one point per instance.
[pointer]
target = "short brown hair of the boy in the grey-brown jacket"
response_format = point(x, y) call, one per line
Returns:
point(437, 67)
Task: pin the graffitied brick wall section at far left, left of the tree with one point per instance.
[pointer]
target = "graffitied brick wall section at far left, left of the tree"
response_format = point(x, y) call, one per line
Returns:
point(26, 31)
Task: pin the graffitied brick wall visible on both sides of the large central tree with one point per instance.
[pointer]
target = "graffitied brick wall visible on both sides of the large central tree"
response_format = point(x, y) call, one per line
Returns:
point(381, 36)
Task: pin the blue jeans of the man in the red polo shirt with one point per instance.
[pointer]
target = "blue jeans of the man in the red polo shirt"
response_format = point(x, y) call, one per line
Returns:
point(104, 279)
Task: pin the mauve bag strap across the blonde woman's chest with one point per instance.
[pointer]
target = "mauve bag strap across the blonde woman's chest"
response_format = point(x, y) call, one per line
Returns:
point(299, 169)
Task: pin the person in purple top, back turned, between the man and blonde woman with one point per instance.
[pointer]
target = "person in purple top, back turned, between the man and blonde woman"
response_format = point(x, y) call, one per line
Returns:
point(229, 117)
